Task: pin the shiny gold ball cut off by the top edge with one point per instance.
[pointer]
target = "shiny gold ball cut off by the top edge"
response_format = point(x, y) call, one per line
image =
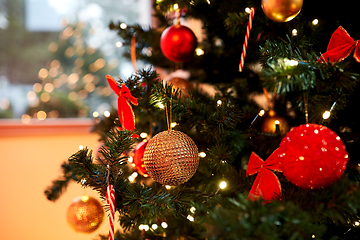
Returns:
point(281, 10)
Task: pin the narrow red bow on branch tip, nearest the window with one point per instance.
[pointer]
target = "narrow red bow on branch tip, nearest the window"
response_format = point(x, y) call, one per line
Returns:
point(126, 113)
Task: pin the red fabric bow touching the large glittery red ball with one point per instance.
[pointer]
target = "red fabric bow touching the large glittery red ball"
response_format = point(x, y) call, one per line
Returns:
point(266, 183)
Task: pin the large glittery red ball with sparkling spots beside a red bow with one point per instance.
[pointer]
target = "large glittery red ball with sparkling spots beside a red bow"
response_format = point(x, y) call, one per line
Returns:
point(312, 156)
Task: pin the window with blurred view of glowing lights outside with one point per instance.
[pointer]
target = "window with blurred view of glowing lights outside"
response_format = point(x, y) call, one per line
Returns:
point(55, 55)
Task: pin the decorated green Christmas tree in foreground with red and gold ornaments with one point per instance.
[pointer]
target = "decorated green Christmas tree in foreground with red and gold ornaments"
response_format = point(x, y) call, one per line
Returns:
point(254, 177)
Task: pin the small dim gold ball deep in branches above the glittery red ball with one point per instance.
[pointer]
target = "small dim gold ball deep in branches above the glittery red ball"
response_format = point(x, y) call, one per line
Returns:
point(272, 121)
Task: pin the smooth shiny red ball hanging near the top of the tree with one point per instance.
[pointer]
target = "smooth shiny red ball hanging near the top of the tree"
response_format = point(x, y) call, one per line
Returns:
point(178, 43)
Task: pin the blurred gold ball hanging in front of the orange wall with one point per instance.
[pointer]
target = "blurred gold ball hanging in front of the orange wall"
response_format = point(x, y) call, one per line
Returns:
point(85, 214)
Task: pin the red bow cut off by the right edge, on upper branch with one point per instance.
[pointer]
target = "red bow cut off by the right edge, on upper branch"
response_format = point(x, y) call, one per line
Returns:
point(340, 47)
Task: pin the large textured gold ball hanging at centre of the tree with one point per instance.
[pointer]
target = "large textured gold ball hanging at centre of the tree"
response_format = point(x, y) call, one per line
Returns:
point(171, 157)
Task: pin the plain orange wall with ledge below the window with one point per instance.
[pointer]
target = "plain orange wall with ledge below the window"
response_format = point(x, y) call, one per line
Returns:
point(30, 159)
